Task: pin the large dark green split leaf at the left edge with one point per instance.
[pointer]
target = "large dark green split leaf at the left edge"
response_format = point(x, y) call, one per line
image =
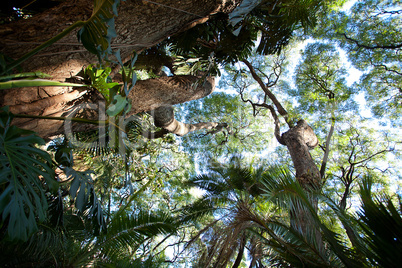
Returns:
point(23, 171)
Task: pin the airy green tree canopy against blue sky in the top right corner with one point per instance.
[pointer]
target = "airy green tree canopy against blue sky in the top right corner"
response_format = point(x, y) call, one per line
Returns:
point(371, 36)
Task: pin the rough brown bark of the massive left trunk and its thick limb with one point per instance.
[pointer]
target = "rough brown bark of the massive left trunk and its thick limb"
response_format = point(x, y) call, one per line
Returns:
point(139, 25)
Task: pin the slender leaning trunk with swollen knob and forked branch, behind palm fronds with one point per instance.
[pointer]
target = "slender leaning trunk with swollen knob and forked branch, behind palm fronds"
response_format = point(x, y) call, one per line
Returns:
point(299, 140)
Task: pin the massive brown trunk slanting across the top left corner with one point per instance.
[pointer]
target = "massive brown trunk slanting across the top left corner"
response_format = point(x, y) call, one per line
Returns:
point(139, 25)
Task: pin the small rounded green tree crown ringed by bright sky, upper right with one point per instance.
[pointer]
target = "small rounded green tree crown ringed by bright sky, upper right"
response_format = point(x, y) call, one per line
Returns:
point(320, 80)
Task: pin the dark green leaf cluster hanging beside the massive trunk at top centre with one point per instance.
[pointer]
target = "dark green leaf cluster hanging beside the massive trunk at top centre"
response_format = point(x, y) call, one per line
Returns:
point(229, 39)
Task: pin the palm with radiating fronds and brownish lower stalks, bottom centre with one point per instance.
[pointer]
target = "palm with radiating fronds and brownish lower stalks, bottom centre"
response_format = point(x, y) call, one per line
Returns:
point(241, 219)
